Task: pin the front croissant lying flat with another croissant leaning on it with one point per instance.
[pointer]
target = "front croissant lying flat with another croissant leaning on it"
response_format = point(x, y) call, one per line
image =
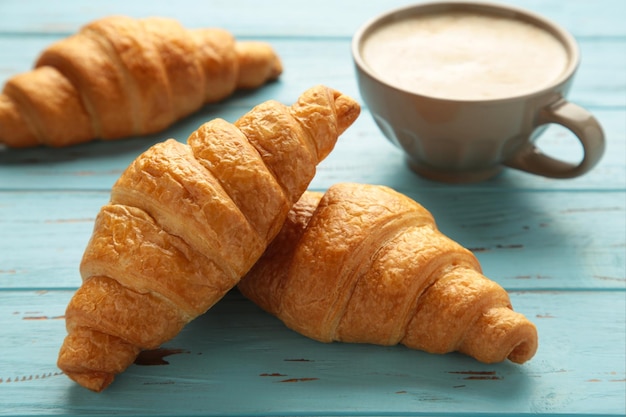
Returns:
point(366, 264)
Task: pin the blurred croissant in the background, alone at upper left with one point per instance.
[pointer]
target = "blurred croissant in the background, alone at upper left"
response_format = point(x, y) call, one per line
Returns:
point(120, 76)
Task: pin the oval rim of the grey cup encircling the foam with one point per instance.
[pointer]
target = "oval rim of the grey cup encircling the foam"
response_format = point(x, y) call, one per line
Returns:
point(437, 6)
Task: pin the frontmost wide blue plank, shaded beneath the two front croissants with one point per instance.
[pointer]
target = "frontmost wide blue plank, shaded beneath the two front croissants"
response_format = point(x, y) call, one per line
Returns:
point(238, 360)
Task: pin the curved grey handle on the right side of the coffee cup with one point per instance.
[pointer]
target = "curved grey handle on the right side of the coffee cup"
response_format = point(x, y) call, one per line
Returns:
point(582, 124)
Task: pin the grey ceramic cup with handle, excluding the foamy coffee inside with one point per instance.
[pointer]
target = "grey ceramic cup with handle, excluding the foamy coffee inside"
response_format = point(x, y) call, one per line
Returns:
point(468, 140)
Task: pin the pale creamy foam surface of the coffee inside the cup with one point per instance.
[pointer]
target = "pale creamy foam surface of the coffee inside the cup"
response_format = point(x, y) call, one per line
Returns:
point(464, 55)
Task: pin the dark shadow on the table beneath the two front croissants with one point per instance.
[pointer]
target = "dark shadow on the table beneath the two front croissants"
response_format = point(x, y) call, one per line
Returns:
point(277, 360)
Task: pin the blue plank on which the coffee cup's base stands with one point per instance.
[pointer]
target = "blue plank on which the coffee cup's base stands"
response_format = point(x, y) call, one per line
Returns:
point(362, 154)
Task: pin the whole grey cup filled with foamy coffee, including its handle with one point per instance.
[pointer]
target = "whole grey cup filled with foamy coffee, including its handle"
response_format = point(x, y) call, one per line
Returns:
point(466, 88)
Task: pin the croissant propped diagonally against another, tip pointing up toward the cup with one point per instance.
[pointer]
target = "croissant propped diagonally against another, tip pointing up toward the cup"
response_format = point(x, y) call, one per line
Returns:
point(185, 222)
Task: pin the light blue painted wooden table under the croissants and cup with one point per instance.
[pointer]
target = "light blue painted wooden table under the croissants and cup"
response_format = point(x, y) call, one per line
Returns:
point(558, 246)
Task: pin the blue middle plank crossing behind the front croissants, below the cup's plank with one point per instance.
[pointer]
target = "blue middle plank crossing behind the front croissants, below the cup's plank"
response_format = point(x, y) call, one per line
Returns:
point(524, 240)
